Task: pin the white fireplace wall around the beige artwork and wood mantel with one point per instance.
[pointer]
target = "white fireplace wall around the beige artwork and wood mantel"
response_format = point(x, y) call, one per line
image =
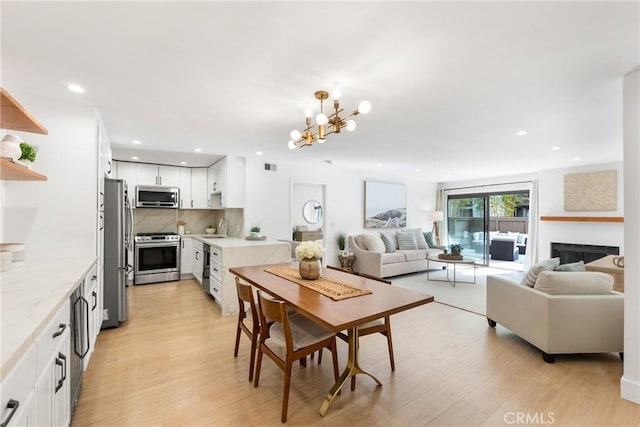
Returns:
point(551, 203)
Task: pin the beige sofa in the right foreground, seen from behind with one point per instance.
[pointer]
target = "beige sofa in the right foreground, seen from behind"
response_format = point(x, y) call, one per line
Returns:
point(558, 323)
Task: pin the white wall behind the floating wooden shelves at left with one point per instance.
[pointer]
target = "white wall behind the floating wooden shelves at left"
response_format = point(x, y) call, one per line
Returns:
point(55, 218)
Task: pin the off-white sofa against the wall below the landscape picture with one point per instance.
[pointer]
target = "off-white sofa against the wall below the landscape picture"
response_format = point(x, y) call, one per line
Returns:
point(379, 263)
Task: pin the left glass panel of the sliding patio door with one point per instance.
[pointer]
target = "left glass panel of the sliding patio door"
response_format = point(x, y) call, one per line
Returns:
point(467, 224)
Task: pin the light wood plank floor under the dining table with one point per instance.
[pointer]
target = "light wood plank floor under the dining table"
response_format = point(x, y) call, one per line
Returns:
point(172, 364)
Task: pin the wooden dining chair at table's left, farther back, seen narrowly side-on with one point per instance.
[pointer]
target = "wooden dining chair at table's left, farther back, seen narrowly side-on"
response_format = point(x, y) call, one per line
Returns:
point(247, 312)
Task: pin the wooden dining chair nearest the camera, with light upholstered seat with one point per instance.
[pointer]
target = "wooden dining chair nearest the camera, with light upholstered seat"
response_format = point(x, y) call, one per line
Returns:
point(296, 335)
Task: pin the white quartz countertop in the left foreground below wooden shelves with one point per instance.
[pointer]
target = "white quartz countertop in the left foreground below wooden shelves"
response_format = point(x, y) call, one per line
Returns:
point(31, 294)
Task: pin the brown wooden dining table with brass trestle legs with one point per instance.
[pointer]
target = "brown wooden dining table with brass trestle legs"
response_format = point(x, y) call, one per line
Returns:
point(336, 316)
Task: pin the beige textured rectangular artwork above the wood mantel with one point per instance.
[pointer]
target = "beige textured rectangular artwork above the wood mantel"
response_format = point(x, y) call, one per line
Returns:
point(592, 191)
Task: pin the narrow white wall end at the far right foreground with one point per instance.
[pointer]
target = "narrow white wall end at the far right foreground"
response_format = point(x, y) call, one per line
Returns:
point(630, 382)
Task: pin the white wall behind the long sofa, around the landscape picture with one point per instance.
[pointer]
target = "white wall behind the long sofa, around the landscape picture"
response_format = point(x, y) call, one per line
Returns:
point(268, 198)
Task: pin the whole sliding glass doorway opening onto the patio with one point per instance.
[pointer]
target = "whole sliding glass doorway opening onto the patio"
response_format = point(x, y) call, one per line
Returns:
point(491, 227)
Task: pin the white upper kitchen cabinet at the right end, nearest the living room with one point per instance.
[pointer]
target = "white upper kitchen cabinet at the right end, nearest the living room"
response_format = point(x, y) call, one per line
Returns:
point(226, 182)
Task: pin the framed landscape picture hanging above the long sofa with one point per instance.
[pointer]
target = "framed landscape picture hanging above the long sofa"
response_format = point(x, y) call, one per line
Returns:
point(385, 205)
